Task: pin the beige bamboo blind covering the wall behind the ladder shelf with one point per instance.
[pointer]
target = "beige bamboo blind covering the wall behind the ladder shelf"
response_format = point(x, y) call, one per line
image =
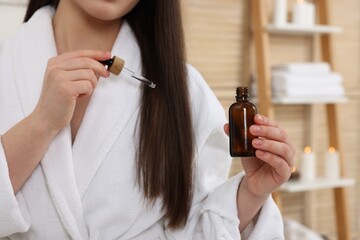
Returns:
point(216, 34)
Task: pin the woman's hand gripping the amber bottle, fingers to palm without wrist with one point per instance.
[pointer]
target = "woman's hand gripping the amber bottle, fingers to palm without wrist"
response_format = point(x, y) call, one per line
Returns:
point(274, 159)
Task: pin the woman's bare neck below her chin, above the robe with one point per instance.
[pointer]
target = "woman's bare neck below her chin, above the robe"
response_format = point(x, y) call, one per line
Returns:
point(74, 29)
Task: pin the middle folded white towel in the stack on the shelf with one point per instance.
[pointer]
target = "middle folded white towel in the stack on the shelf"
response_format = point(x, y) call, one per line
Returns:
point(288, 79)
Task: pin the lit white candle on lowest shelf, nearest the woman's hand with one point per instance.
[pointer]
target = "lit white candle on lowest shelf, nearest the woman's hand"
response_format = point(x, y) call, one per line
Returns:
point(308, 165)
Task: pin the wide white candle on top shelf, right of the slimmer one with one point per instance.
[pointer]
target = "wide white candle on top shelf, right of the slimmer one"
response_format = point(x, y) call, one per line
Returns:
point(304, 13)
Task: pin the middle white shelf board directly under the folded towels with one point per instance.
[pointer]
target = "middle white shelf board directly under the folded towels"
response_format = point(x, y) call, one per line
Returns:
point(306, 100)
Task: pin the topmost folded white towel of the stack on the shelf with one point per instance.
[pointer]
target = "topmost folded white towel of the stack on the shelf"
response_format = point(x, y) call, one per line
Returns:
point(302, 68)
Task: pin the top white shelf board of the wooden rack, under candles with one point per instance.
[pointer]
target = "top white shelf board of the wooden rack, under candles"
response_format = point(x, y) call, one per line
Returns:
point(291, 29)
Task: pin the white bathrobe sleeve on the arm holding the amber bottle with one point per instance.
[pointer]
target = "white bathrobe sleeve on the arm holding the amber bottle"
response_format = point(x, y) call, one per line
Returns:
point(214, 212)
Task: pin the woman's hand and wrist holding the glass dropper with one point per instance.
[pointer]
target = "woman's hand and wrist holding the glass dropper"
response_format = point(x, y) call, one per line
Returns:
point(68, 77)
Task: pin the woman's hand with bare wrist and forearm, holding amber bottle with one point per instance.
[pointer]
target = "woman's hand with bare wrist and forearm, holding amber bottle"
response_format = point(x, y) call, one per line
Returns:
point(267, 171)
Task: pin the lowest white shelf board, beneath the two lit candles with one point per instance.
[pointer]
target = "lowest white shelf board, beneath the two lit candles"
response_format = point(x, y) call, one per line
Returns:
point(320, 183)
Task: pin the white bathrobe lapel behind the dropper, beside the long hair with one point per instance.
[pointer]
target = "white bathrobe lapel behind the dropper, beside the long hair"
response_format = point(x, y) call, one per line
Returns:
point(110, 109)
